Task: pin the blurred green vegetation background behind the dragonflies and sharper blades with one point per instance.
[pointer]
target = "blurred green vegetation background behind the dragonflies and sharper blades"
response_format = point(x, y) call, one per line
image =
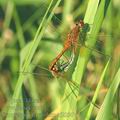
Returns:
point(41, 93)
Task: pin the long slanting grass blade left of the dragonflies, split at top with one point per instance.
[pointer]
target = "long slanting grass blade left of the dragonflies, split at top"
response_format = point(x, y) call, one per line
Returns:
point(25, 67)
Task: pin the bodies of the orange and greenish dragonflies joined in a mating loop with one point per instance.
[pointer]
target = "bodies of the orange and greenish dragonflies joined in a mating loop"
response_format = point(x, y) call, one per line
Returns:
point(70, 44)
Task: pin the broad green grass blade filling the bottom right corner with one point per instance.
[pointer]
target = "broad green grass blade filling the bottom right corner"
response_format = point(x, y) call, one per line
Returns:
point(105, 111)
